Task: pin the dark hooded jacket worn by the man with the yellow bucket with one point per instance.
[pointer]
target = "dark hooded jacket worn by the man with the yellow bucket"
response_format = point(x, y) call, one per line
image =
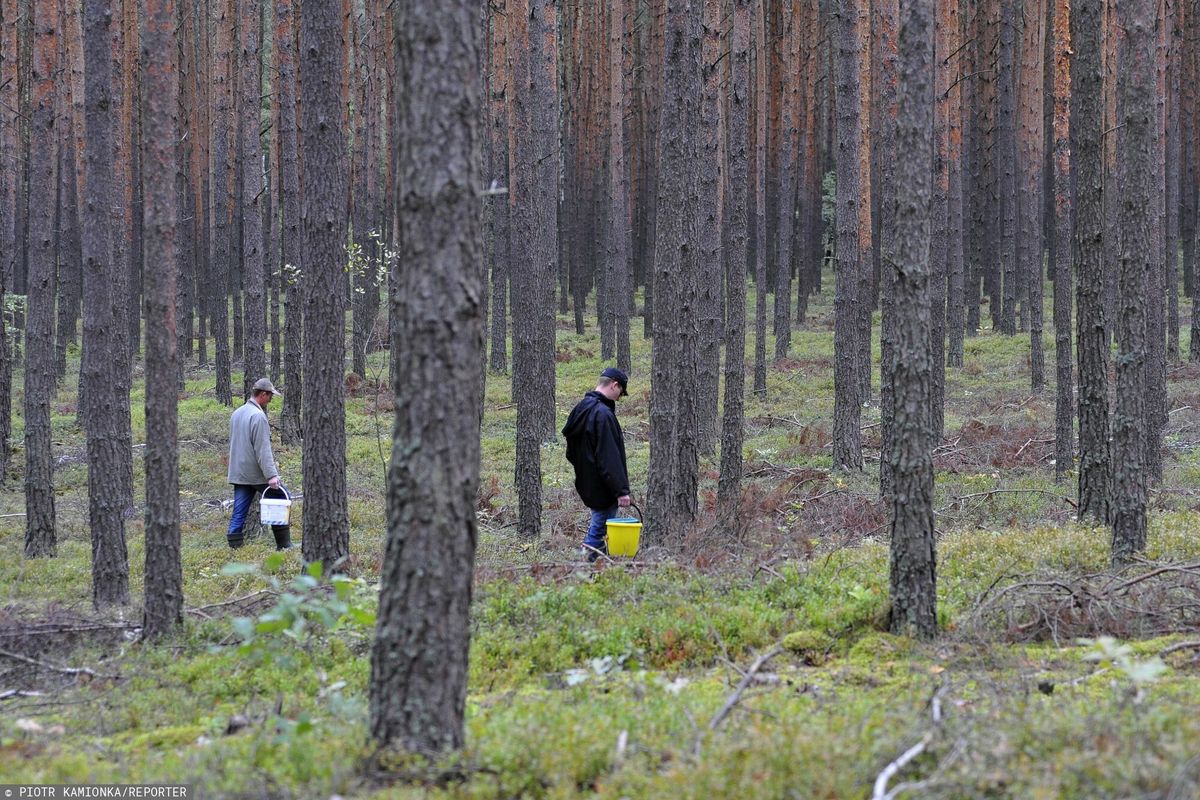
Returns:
point(597, 449)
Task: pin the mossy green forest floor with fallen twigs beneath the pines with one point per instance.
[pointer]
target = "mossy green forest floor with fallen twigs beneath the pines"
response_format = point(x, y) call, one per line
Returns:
point(751, 665)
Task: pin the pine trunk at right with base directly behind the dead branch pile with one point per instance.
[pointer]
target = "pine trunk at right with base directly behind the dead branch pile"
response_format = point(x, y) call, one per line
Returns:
point(1132, 425)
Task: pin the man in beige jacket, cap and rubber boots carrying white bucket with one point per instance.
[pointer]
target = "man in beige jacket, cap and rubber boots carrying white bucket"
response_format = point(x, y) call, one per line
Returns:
point(251, 462)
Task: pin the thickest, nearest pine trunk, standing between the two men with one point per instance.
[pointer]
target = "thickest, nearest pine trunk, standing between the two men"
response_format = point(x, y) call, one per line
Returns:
point(419, 659)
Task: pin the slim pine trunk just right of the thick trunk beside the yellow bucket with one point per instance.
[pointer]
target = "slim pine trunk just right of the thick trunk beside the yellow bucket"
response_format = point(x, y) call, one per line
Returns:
point(729, 492)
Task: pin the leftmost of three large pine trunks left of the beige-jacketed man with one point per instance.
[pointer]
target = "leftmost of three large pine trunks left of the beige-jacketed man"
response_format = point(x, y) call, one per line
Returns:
point(40, 384)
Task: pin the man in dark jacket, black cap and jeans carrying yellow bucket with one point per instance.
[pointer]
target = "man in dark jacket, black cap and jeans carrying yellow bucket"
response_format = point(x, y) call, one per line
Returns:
point(596, 447)
